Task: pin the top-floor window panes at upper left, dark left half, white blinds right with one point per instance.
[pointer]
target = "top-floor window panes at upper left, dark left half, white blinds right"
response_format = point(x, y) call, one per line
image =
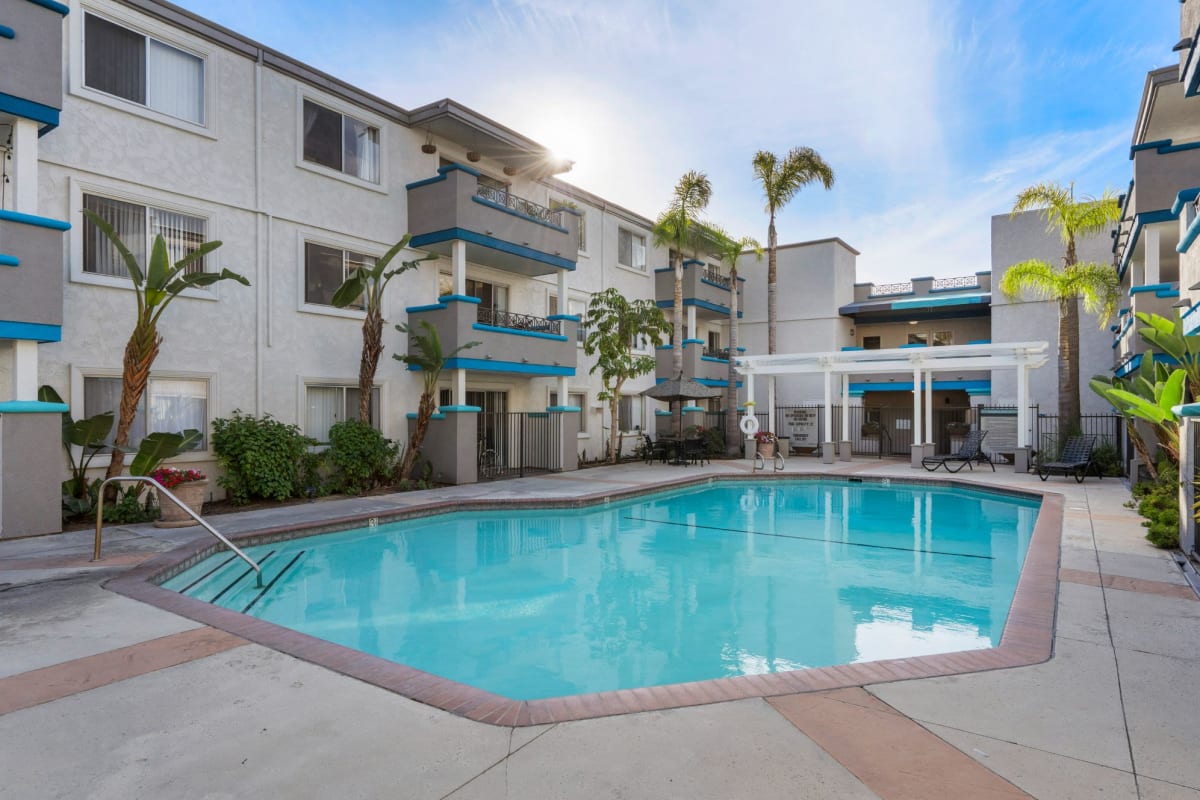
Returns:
point(143, 70)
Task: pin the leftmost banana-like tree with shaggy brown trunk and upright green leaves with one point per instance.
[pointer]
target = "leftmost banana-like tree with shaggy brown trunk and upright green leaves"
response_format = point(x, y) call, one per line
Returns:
point(154, 290)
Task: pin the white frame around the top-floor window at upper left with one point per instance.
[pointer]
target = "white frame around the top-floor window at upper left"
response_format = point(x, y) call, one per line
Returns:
point(166, 34)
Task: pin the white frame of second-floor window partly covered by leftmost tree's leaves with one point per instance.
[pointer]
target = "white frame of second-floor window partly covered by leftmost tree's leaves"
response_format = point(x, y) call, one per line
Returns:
point(140, 196)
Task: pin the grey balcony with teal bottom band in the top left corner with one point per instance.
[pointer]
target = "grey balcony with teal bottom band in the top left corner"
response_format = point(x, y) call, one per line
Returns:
point(32, 82)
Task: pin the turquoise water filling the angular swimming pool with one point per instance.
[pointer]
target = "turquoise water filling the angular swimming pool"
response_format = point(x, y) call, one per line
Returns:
point(731, 579)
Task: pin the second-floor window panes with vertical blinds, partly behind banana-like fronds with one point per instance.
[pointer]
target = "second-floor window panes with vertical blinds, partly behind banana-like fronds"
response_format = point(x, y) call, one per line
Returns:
point(139, 226)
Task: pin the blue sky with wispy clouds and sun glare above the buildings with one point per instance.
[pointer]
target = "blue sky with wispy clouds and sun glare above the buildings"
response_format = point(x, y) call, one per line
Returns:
point(933, 113)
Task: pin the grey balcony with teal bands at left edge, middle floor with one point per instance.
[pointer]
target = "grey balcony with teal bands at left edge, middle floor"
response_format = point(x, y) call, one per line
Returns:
point(31, 278)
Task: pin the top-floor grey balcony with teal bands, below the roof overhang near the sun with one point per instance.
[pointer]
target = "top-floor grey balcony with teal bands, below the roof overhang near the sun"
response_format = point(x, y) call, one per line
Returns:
point(500, 230)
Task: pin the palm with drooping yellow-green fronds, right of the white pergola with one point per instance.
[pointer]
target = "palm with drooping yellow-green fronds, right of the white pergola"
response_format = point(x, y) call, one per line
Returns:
point(1097, 285)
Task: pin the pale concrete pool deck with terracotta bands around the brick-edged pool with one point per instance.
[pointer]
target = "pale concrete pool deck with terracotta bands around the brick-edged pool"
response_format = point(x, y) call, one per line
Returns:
point(103, 696)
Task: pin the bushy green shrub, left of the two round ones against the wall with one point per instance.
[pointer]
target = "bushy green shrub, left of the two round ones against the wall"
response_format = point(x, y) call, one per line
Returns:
point(261, 456)
